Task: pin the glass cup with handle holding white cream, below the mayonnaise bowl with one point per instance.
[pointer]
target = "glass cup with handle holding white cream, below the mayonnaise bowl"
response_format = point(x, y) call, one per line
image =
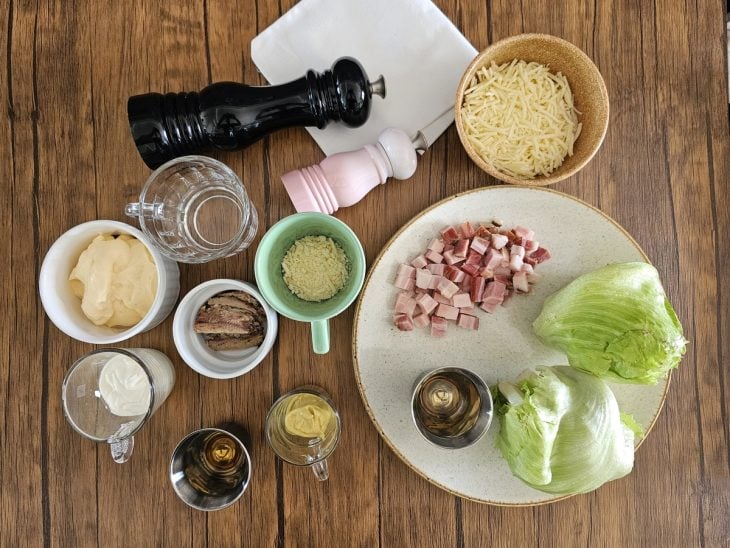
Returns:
point(98, 408)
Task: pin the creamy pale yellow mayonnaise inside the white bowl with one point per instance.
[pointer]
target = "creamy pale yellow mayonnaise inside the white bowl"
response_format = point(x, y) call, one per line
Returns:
point(116, 280)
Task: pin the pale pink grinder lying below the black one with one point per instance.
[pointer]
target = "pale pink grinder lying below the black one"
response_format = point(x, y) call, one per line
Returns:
point(345, 178)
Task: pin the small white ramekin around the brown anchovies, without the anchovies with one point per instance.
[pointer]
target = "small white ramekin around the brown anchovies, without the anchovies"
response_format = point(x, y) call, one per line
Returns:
point(219, 364)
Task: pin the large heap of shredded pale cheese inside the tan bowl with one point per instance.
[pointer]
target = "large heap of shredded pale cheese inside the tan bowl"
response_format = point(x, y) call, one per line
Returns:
point(520, 118)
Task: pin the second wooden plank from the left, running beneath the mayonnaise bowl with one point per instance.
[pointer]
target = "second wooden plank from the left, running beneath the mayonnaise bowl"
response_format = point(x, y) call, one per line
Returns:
point(63, 152)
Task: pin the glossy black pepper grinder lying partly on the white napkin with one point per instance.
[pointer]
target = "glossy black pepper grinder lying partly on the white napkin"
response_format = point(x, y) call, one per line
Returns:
point(230, 116)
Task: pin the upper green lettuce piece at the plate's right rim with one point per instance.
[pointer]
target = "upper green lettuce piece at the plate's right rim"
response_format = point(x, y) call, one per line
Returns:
point(615, 322)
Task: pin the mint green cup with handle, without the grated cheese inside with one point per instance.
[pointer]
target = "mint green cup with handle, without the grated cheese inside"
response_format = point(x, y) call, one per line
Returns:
point(270, 277)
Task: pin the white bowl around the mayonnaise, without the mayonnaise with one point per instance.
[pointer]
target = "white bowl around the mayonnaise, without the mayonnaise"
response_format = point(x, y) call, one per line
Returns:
point(64, 308)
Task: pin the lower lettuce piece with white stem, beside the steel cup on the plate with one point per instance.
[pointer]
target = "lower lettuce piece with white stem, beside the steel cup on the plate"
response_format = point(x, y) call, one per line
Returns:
point(561, 431)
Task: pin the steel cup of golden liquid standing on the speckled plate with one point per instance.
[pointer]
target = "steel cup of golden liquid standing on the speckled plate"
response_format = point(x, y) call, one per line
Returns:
point(451, 407)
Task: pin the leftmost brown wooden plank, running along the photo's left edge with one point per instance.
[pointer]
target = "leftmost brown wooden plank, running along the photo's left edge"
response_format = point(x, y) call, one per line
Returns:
point(24, 453)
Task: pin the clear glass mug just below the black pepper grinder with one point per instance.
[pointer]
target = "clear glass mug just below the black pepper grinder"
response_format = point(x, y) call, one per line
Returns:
point(195, 209)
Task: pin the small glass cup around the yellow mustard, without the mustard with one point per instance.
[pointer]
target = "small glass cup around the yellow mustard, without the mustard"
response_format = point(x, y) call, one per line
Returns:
point(299, 450)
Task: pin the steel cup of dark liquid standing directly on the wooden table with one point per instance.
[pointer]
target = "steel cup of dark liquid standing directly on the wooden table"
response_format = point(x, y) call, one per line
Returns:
point(210, 469)
